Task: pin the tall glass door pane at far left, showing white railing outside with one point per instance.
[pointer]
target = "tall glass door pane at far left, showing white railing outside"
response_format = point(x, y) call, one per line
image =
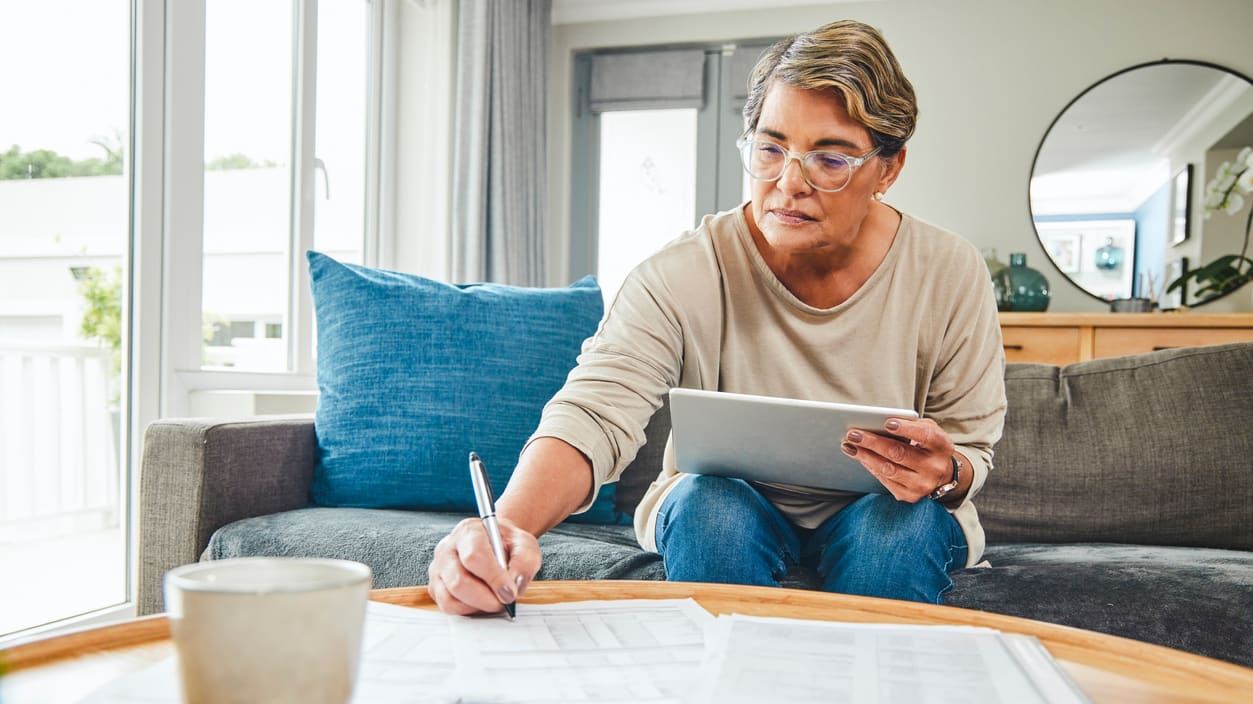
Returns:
point(63, 246)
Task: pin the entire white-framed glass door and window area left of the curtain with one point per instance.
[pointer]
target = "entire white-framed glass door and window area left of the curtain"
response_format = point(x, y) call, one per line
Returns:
point(205, 145)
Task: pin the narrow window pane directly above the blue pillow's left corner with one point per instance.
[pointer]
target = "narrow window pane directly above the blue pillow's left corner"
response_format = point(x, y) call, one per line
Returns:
point(340, 202)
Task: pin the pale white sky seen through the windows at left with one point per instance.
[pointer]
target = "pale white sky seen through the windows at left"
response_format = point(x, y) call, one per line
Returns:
point(66, 73)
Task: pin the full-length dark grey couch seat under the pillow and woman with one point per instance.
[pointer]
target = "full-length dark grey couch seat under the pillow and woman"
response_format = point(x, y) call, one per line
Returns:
point(1192, 599)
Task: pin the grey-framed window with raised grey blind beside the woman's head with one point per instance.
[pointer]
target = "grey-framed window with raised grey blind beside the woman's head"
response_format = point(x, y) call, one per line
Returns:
point(655, 137)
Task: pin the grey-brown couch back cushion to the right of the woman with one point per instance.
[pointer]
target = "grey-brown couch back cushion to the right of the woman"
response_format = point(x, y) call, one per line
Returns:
point(1151, 449)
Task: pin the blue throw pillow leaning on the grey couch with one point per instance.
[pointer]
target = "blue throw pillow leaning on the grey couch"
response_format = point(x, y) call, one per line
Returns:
point(415, 374)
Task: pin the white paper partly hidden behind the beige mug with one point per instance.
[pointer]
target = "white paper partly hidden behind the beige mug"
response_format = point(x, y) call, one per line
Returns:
point(407, 660)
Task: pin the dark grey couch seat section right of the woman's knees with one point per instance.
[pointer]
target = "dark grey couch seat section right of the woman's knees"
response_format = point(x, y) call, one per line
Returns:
point(1186, 598)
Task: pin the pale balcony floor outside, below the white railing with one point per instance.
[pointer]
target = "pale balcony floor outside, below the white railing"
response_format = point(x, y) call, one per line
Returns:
point(58, 578)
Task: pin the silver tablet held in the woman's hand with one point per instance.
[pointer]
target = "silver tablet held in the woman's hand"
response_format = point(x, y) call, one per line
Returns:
point(775, 440)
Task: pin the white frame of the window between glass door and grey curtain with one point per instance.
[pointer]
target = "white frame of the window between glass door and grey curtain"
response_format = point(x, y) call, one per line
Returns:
point(184, 85)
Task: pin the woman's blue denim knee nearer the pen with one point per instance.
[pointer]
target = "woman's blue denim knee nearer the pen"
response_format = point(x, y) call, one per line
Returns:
point(722, 531)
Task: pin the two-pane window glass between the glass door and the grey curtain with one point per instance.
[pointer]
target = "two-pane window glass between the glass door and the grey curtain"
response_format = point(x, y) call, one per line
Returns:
point(257, 120)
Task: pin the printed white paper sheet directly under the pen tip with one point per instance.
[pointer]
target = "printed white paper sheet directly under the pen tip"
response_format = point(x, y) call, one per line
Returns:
point(631, 651)
